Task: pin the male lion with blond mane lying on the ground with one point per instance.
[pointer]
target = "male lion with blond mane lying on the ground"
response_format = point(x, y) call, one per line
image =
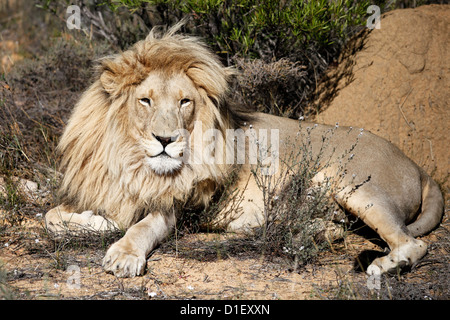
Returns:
point(132, 158)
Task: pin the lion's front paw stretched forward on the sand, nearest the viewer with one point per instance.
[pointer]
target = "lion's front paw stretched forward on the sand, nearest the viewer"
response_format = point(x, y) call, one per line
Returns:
point(123, 261)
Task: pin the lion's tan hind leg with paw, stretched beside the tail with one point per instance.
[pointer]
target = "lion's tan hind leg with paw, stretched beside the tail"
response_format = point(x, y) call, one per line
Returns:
point(384, 217)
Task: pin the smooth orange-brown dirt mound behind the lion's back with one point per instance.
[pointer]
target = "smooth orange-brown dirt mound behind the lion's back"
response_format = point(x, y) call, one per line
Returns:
point(394, 81)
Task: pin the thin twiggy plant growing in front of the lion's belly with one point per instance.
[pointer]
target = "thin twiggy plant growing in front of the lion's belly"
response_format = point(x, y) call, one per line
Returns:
point(300, 218)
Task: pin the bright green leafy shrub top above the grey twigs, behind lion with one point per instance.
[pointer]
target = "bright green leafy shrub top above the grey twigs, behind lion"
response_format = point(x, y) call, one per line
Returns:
point(261, 28)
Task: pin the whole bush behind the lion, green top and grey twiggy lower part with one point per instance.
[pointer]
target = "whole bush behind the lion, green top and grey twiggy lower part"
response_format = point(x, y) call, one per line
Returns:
point(301, 33)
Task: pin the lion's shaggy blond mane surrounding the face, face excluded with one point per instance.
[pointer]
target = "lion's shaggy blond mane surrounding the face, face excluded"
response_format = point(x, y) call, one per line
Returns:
point(102, 163)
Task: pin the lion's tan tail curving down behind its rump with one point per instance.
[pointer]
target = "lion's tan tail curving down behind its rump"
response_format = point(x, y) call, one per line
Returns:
point(432, 208)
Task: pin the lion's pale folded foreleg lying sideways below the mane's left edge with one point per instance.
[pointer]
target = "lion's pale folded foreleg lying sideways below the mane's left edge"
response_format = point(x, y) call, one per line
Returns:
point(61, 219)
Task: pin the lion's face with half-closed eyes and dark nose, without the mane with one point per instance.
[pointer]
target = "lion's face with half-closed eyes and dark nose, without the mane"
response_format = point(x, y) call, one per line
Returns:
point(163, 108)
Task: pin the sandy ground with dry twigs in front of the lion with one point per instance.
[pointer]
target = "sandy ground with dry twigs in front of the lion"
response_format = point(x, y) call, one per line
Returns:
point(209, 266)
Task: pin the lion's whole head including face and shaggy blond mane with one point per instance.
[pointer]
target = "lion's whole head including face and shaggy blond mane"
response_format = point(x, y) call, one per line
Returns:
point(125, 147)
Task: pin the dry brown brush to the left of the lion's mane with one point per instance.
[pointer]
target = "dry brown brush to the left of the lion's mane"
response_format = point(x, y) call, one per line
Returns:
point(36, 99)
